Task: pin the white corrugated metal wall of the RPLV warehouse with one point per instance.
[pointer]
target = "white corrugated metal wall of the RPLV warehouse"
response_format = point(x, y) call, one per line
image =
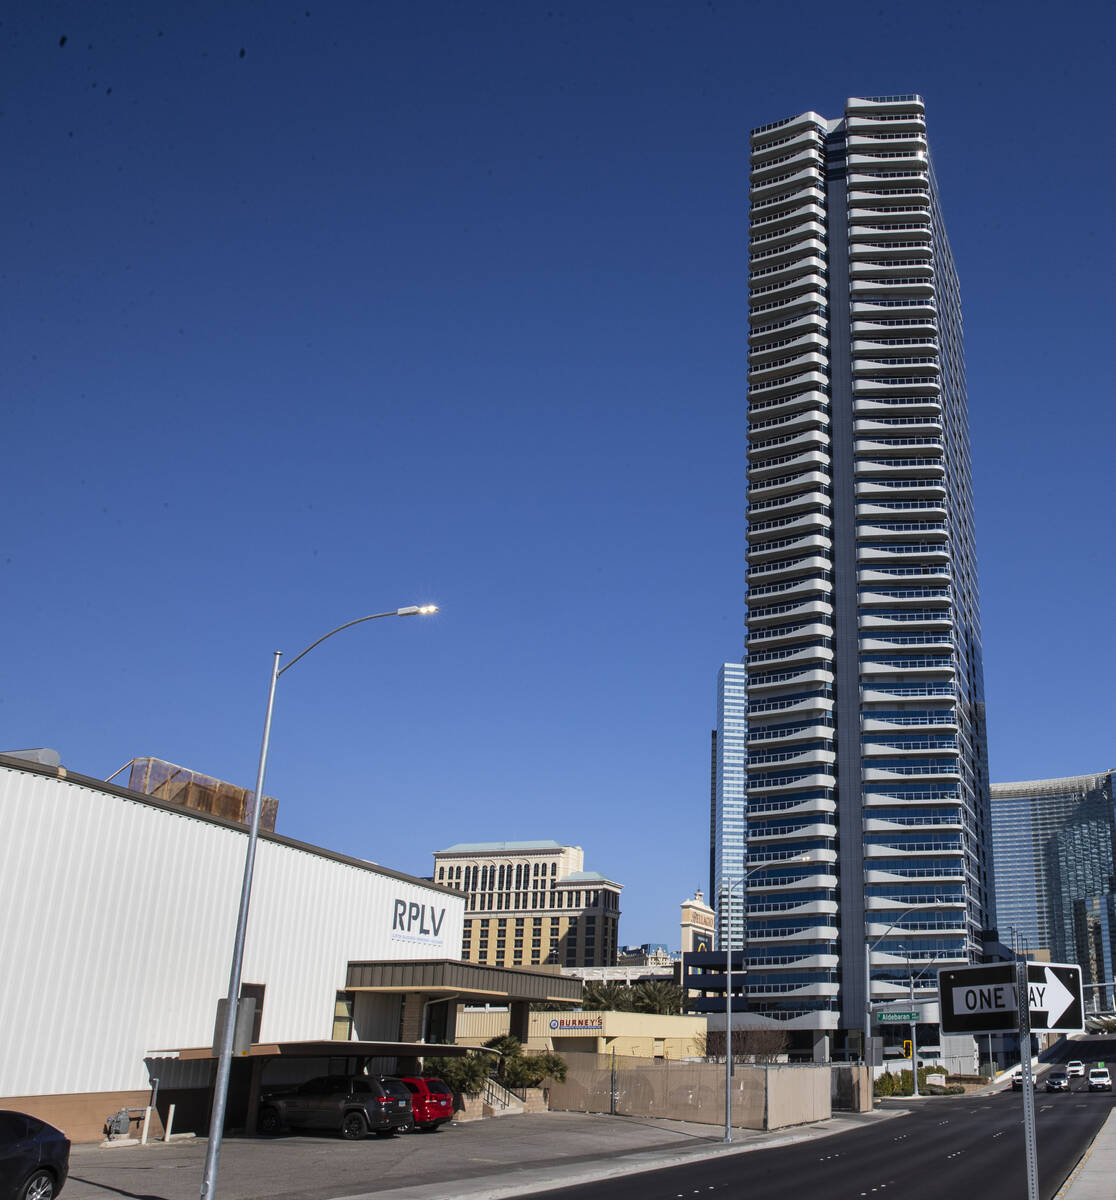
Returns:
point(118, 933)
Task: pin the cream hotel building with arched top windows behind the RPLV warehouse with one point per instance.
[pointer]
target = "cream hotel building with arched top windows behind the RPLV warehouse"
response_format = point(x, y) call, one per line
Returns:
point(531, 904)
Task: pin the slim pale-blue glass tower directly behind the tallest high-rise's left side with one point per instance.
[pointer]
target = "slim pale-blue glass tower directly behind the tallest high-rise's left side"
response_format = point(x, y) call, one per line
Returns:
point(729, 802)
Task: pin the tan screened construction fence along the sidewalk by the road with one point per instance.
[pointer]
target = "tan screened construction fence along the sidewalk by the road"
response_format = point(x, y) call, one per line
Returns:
point(764, 1096)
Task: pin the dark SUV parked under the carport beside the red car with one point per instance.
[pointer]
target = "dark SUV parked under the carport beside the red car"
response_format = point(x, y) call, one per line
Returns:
point(347, 1105)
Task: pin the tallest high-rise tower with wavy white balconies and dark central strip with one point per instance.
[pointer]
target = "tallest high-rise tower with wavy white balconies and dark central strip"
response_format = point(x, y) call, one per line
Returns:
point(867, 748)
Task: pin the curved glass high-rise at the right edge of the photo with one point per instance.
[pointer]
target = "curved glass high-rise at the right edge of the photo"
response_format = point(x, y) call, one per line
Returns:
point(1053, 844)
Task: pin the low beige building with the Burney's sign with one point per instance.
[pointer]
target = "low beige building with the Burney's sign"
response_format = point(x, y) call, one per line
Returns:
point(635, 1035)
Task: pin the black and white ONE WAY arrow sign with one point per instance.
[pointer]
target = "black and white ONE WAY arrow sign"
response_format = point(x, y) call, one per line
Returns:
point(982, 1000)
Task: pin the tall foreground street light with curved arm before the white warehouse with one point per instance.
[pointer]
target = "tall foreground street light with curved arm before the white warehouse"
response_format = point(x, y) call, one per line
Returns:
point(225, 1060)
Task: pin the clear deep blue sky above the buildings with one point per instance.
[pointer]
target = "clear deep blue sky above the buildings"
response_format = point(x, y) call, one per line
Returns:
point(447, 303)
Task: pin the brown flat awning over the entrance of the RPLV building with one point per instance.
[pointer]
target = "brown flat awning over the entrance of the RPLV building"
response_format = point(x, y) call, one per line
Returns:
point(473, 982)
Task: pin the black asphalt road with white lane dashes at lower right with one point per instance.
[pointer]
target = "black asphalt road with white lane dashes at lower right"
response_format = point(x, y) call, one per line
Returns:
point(947, 1148)
